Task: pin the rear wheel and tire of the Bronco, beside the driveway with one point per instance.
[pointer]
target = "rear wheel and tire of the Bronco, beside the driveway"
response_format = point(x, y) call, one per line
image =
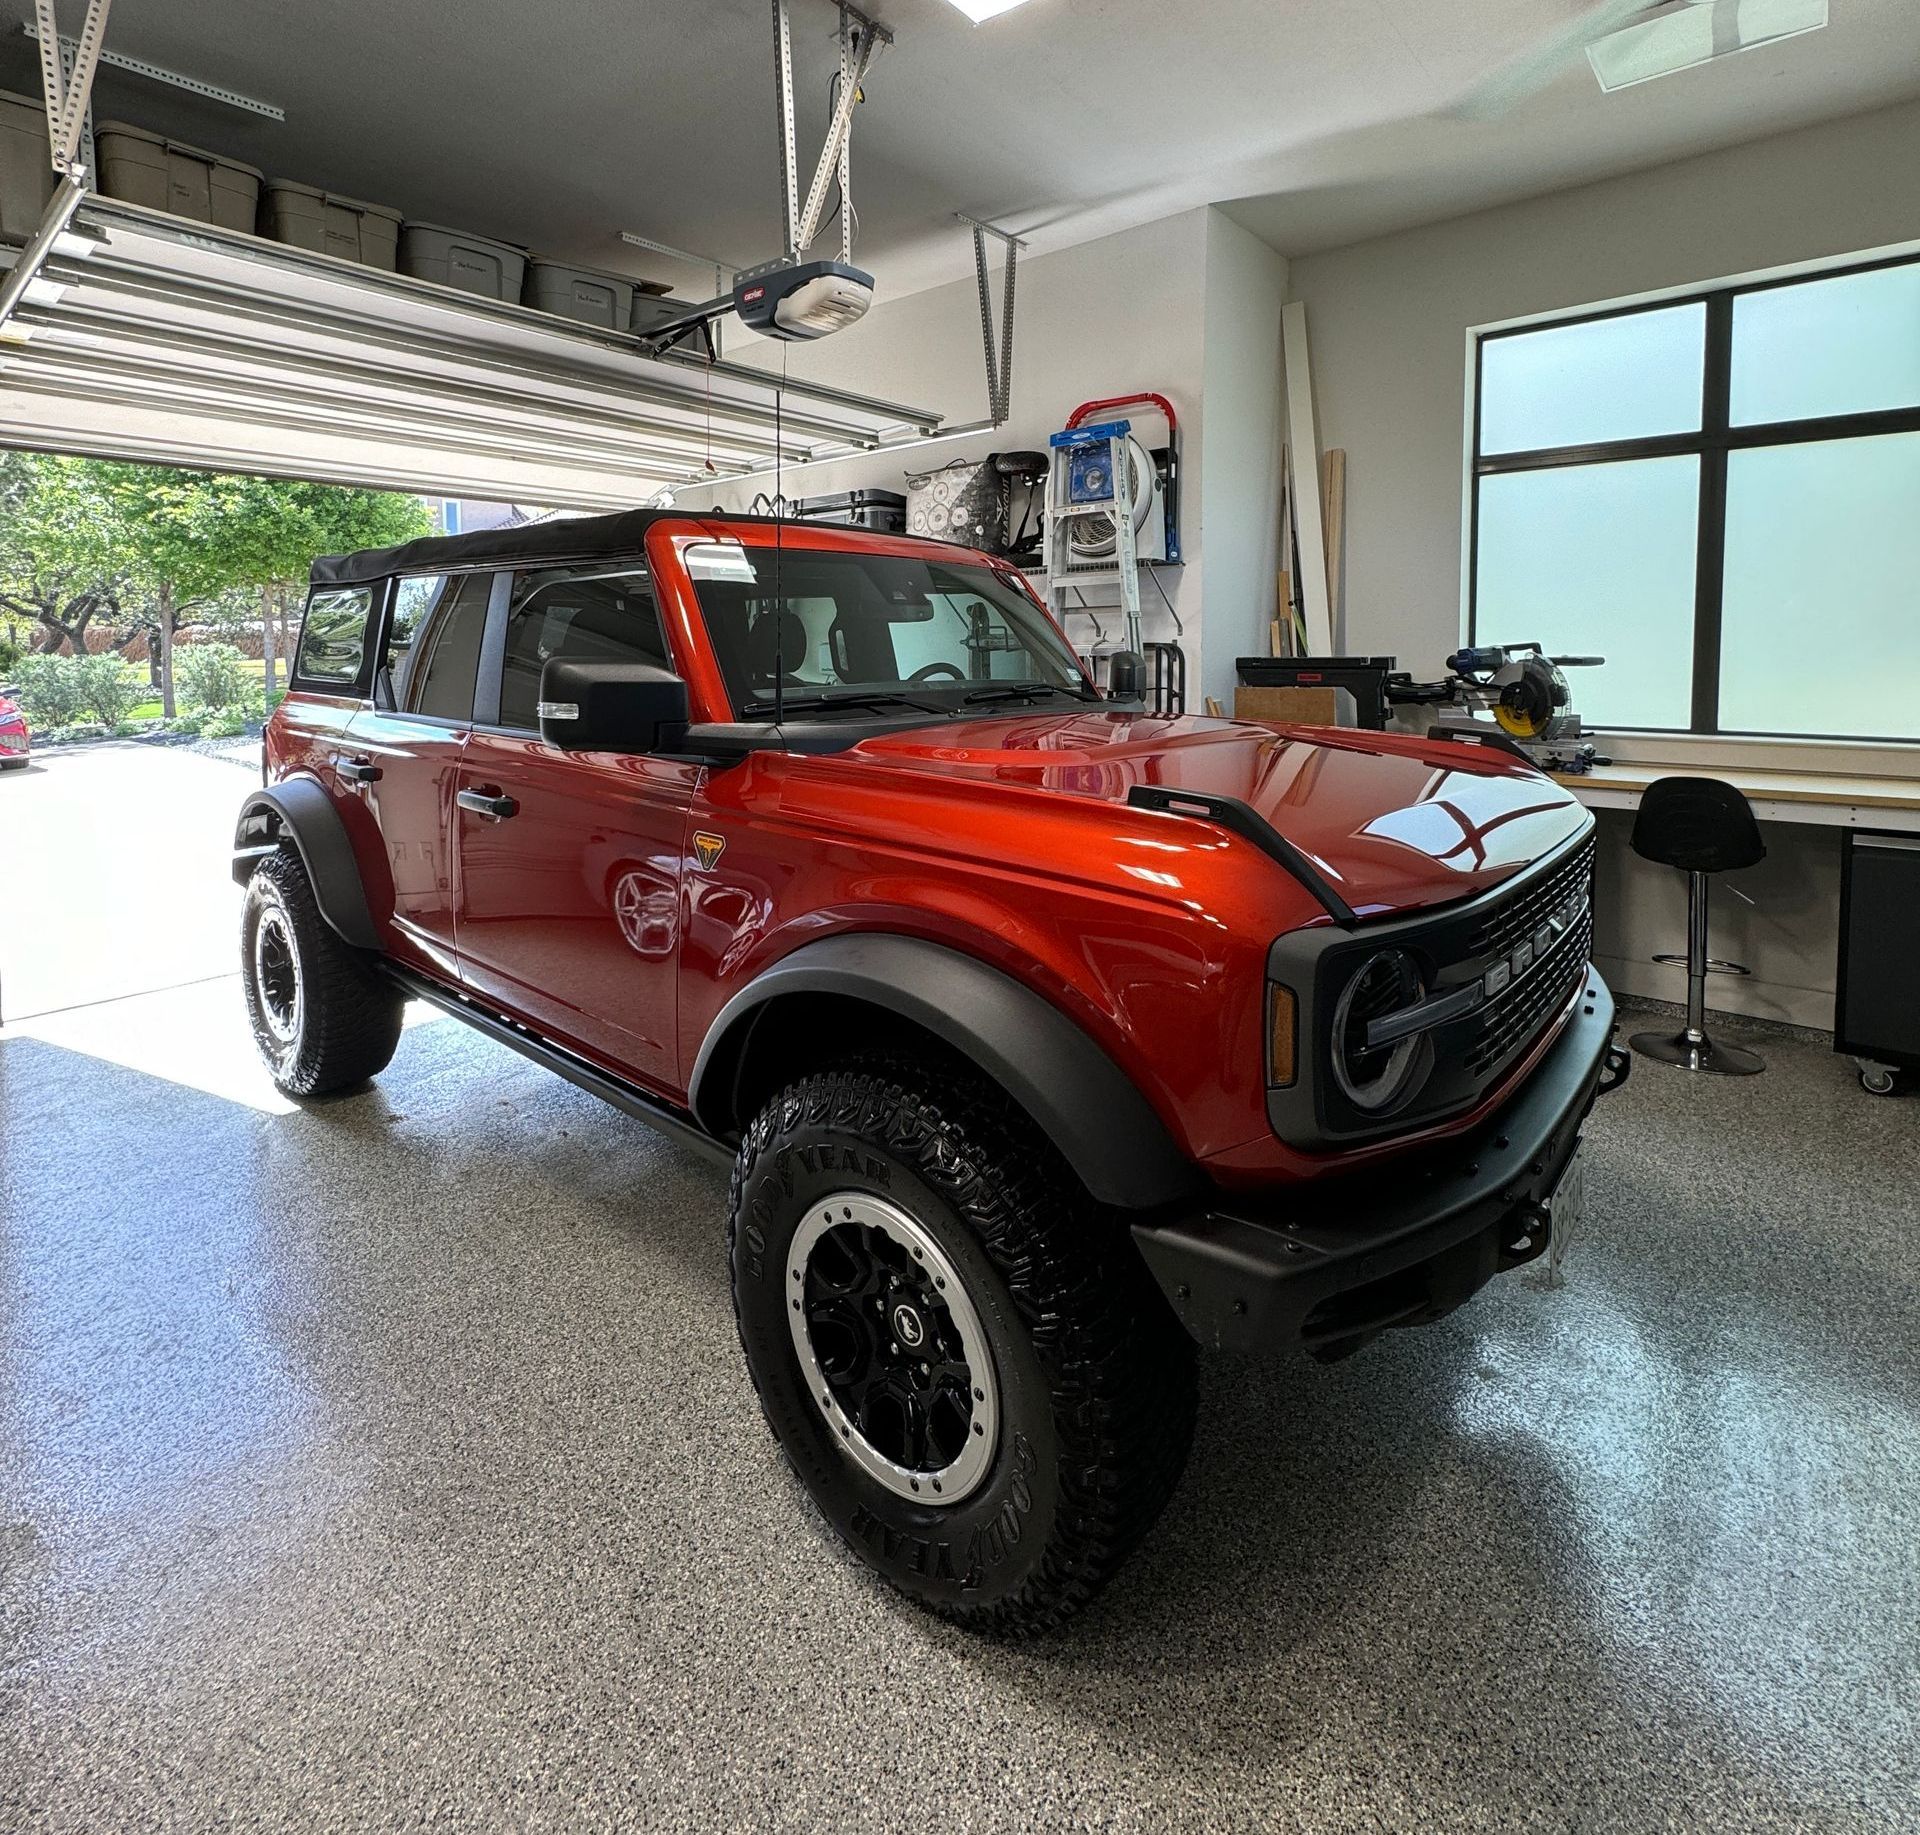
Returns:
point(324, 1018)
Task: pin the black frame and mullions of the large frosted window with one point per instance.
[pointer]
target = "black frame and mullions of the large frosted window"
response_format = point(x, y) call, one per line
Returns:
point(1712, 444)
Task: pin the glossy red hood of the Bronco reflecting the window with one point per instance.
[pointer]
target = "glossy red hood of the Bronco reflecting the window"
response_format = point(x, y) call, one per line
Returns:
point(1393, 822)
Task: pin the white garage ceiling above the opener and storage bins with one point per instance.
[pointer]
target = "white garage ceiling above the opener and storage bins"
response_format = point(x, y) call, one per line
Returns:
point(1320, 122)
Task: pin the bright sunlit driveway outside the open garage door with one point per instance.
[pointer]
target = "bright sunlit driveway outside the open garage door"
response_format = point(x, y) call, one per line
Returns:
point(114, 874)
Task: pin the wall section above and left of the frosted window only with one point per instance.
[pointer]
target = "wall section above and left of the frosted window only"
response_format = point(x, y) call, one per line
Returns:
point(1389, 320)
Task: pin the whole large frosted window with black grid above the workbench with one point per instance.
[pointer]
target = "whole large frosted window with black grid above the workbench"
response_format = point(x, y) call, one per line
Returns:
point(1717, 494)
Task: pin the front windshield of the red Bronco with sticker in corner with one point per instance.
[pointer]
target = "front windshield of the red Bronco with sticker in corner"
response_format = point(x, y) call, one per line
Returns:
point(873, 631)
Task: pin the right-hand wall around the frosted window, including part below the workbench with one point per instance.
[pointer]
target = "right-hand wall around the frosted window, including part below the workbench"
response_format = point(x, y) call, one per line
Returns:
point(1389, 322)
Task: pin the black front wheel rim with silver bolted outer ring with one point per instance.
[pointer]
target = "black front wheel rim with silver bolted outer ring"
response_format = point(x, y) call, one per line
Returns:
point(892, 1348)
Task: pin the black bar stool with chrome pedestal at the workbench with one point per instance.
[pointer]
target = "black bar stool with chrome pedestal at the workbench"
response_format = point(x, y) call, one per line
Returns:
point(1700, 826)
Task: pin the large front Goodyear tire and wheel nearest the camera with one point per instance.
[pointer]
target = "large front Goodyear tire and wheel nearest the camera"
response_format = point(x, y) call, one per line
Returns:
point(959, 1350)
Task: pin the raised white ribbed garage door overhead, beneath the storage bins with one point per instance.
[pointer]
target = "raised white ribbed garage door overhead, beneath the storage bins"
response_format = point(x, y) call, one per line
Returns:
point(149, 337)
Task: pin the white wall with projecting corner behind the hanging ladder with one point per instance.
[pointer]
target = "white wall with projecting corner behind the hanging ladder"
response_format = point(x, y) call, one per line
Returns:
point(1188, 308)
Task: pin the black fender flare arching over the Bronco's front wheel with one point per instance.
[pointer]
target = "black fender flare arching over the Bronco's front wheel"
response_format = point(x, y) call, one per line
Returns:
point(1068, 1084)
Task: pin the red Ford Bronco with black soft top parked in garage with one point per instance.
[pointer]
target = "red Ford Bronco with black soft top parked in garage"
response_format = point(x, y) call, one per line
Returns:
point(1044, 1036)
